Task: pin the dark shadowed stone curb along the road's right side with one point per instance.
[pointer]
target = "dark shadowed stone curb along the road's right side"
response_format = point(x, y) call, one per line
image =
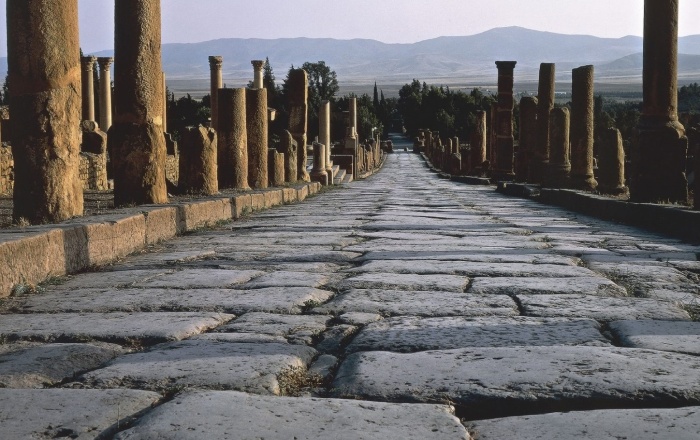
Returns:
point(676, 221)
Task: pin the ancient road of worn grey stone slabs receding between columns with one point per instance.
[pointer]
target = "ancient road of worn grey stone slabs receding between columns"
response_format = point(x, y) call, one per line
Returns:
point(403, 306)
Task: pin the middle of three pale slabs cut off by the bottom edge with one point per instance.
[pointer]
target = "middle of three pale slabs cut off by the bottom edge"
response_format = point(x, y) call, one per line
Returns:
point(233, 415)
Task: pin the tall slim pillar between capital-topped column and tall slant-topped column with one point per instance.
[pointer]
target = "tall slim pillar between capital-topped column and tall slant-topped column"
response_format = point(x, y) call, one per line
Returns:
point(539, 157)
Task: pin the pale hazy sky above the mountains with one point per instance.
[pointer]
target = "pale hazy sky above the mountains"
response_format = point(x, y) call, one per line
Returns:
point(389, 21)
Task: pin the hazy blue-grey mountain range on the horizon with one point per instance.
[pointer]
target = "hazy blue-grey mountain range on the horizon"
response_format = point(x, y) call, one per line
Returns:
point(469, 58)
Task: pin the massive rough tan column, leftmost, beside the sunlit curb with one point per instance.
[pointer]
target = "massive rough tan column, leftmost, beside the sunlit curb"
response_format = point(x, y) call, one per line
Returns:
point(44, 70)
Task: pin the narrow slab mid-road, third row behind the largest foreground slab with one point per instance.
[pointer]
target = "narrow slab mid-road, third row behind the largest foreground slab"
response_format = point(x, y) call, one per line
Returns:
point(448, 283)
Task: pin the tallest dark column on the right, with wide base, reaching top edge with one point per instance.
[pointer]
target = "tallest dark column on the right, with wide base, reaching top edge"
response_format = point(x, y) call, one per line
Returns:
point(659, 161)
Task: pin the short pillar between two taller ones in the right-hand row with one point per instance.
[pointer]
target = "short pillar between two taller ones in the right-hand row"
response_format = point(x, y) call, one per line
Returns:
point(559, 153)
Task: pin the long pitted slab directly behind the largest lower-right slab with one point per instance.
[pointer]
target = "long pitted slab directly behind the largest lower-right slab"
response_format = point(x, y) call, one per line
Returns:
point(410, 334)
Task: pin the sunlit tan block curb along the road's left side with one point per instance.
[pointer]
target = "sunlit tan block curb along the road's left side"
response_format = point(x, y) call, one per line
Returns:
point(33, 254)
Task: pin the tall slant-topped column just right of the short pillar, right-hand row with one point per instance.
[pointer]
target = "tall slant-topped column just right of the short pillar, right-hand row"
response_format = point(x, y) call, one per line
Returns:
point(582, 123)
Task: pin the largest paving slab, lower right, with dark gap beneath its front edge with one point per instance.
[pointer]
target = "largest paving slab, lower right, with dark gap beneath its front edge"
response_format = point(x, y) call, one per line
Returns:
point(493, 380)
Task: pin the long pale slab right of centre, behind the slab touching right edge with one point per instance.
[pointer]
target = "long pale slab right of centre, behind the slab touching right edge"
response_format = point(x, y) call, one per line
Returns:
point(601, 308)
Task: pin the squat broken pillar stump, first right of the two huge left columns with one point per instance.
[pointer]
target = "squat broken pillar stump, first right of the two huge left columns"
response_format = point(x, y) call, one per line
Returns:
point(198, 167)
